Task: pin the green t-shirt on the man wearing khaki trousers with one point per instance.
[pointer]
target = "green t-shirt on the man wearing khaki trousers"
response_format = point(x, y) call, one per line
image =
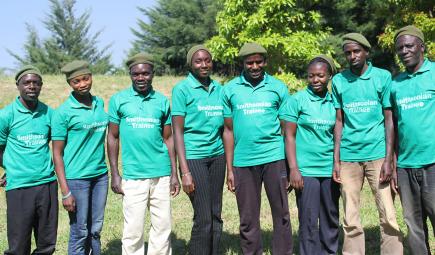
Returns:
point(362, 99)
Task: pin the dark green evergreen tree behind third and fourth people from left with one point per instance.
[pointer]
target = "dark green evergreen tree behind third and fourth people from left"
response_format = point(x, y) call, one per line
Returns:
point(174, 26)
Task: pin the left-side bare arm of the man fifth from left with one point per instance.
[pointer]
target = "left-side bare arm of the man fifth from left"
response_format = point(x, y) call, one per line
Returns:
point(228, 139)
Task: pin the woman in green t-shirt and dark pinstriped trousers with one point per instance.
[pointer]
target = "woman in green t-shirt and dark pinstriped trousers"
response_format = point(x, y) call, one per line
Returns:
point(197, 121)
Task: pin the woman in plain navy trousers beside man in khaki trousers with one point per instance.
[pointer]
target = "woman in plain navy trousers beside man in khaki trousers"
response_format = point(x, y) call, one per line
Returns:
point(309, 129)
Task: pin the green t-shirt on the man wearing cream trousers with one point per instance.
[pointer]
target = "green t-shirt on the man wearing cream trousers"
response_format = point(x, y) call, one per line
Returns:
point(141, 120)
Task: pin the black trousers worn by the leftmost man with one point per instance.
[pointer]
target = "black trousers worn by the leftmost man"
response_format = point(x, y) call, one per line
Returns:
point(32, 208)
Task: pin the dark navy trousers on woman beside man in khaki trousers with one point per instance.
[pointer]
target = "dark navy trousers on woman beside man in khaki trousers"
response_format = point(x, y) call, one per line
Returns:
point(318, 216)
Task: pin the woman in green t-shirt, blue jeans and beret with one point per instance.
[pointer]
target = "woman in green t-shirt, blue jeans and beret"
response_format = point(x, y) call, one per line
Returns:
point(78, 134)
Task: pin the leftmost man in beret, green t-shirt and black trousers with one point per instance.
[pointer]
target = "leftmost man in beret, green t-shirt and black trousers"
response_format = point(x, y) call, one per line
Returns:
point(31, 189)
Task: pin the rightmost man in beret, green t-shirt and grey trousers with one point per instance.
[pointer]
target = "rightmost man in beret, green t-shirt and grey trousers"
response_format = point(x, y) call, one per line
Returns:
point(413, 100)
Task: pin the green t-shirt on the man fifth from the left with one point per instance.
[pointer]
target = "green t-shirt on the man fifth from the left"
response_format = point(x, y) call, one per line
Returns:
point(256, 113)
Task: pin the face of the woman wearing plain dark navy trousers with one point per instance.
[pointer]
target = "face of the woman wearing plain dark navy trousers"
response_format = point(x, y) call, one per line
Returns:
point(318, 77)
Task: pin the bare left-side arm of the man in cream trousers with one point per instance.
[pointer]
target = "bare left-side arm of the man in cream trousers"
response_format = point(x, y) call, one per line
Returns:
point(113, 152)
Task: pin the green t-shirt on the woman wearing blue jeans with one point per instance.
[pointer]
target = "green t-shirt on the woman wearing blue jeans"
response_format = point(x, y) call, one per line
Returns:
point(83, 129)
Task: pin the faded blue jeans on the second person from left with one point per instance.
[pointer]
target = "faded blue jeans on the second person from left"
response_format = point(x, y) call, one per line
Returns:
point(87, 221)
